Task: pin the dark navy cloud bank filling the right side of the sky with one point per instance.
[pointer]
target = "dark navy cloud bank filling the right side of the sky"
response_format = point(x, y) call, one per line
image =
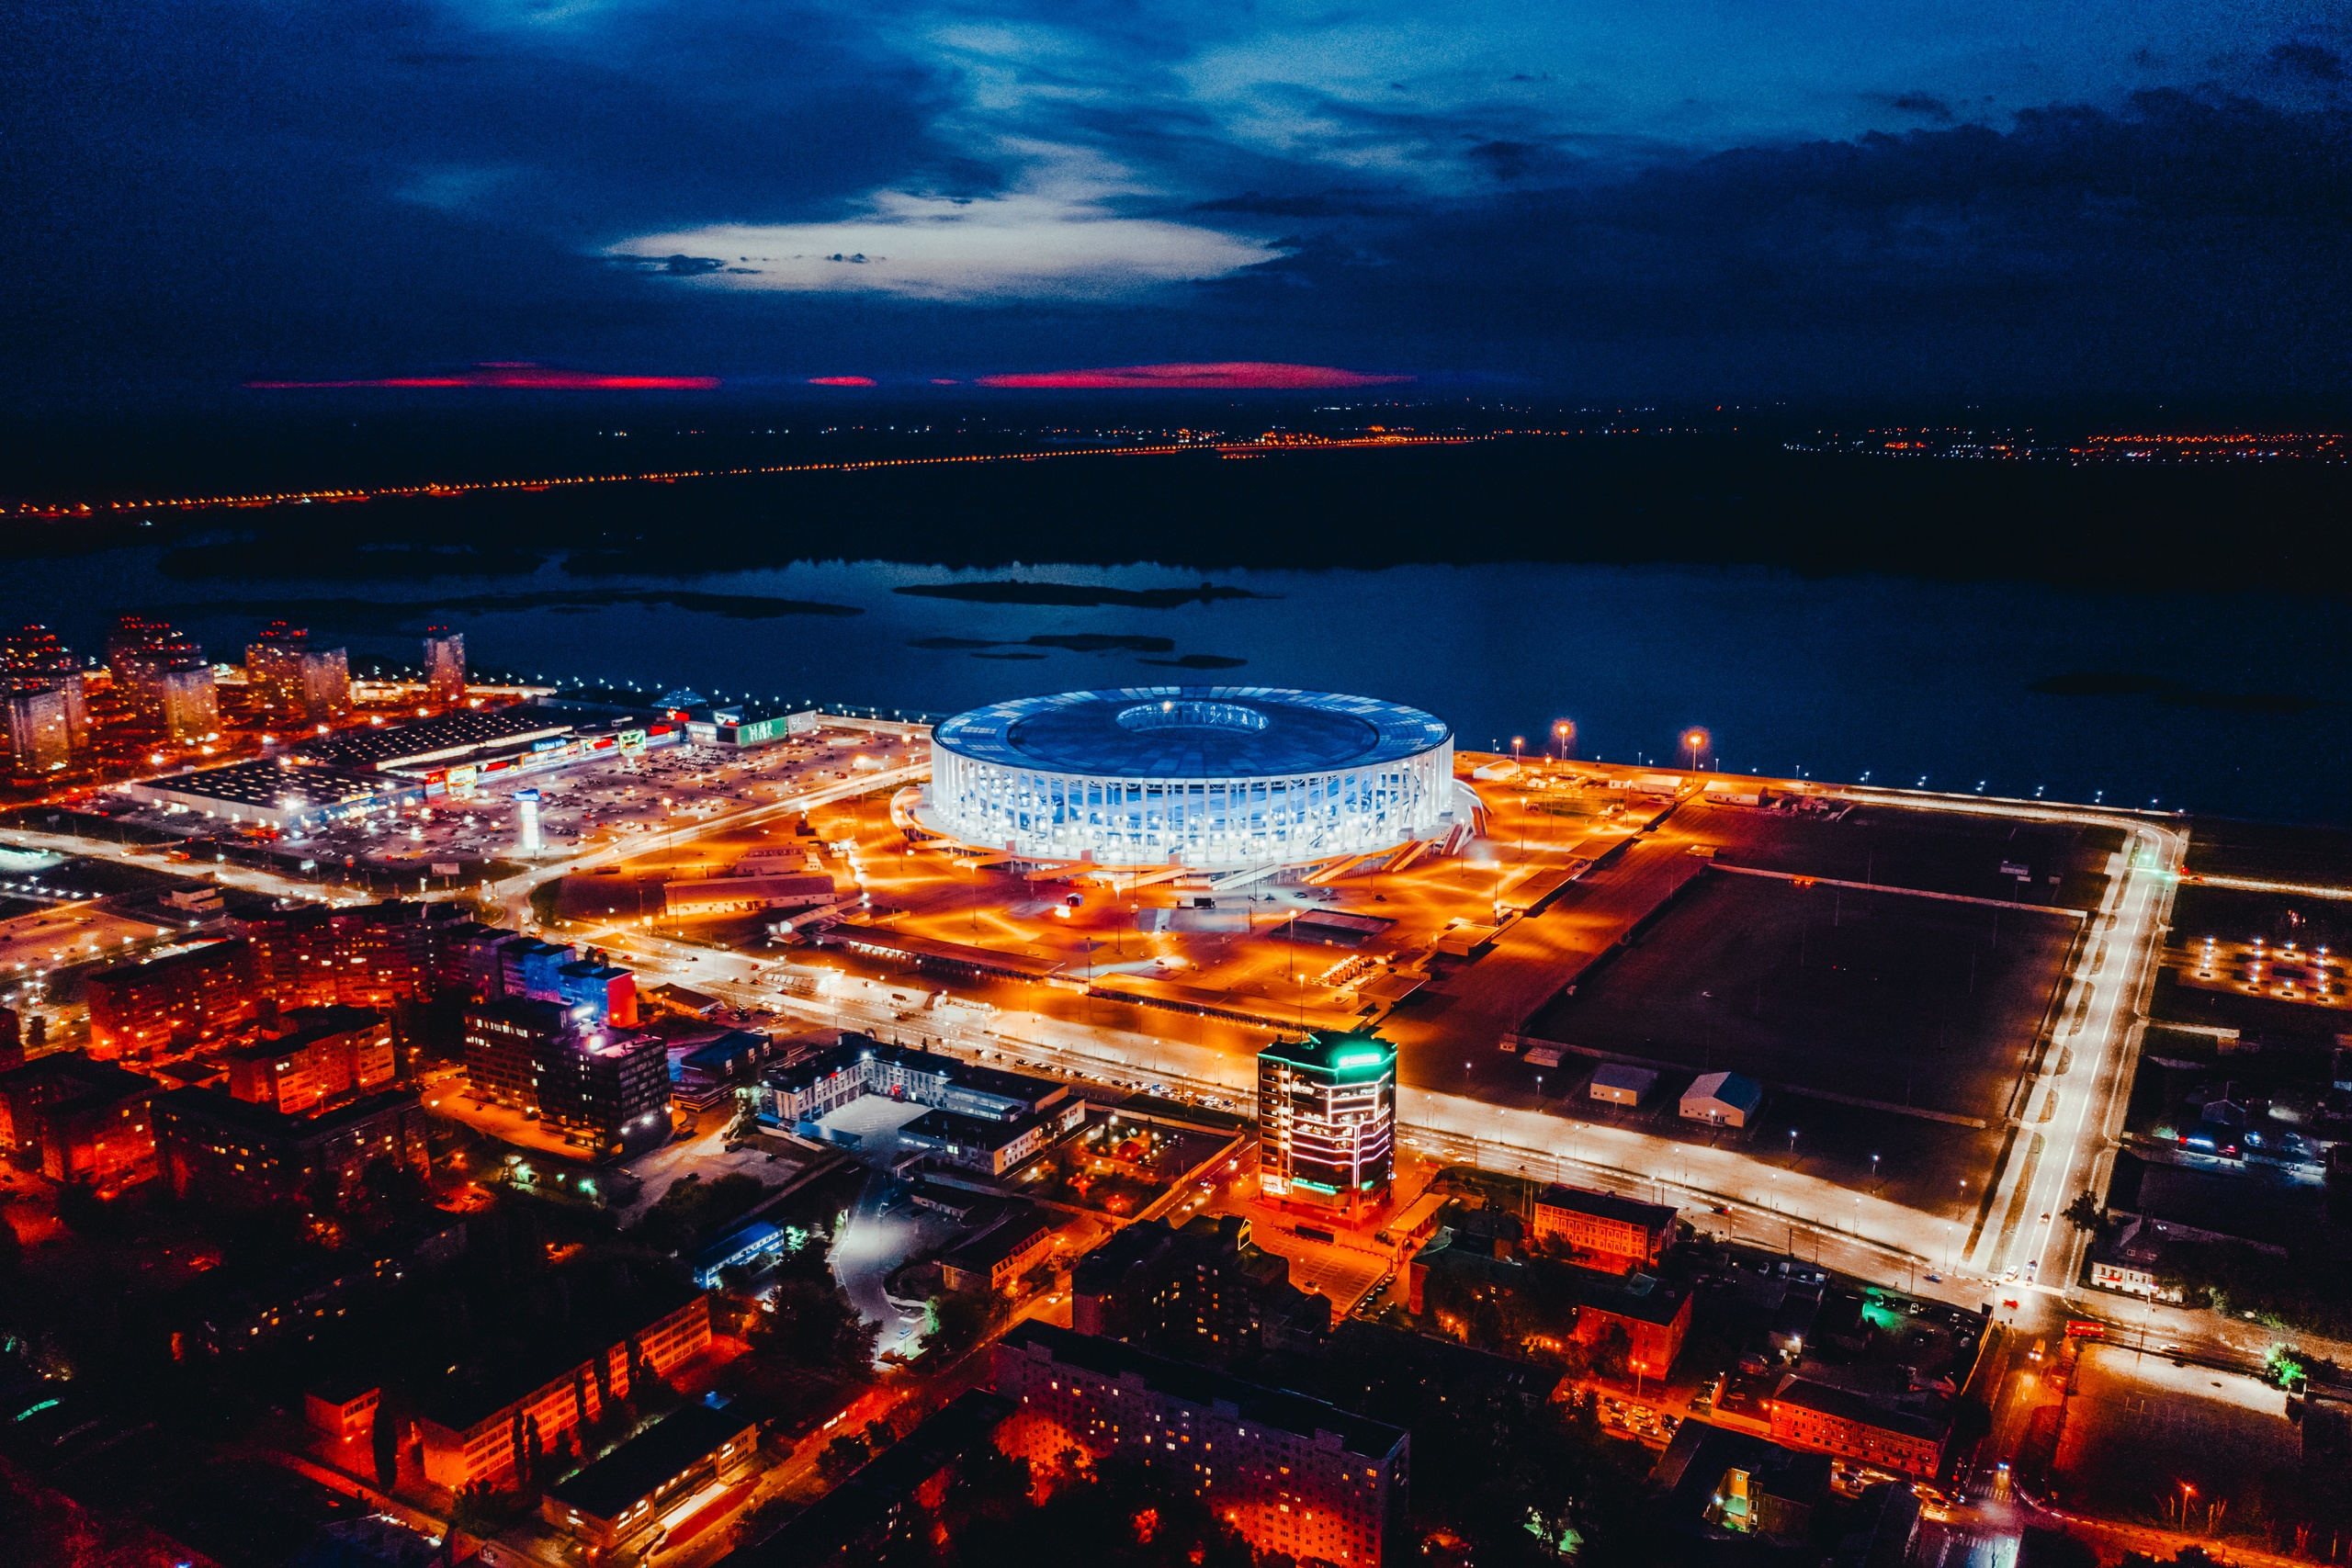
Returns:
point(2186, 243)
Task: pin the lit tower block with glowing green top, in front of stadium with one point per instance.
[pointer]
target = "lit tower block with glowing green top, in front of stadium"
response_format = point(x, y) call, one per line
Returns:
point(1328, 1120)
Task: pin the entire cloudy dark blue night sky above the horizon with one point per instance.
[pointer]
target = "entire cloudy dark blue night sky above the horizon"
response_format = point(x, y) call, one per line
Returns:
point(1685, 199)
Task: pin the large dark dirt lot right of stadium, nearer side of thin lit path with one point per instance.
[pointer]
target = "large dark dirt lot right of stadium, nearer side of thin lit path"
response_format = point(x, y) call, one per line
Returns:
point(1855, 993)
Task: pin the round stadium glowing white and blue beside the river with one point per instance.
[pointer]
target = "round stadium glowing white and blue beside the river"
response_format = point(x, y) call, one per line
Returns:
point(1212, 777)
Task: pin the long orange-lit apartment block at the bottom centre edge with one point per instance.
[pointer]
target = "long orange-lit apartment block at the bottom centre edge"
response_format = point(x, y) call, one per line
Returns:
point(1292, 1475)
